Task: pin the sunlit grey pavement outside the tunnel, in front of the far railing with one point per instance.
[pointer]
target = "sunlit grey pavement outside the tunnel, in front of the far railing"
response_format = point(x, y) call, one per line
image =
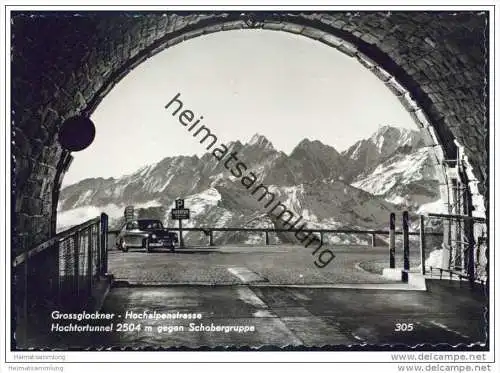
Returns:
point(238, 265)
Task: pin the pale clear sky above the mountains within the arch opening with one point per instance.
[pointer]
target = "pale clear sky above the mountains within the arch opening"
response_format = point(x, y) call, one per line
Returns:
point(284, 86)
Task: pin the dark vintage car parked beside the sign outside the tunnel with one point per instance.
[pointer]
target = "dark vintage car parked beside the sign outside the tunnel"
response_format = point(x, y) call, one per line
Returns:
point(145, 234)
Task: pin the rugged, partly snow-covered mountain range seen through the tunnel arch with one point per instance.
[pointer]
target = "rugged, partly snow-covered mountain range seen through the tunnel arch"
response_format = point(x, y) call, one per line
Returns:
point(358, 188)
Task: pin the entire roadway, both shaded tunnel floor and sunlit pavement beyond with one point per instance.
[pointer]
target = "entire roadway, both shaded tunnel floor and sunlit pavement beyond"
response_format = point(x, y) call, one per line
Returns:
point(274, 297)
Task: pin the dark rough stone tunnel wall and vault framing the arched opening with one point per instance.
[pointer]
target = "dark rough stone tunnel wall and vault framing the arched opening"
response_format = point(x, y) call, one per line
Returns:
point(64, 64)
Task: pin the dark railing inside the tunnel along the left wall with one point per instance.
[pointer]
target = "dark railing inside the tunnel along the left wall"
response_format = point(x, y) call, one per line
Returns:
point(61, 273)
